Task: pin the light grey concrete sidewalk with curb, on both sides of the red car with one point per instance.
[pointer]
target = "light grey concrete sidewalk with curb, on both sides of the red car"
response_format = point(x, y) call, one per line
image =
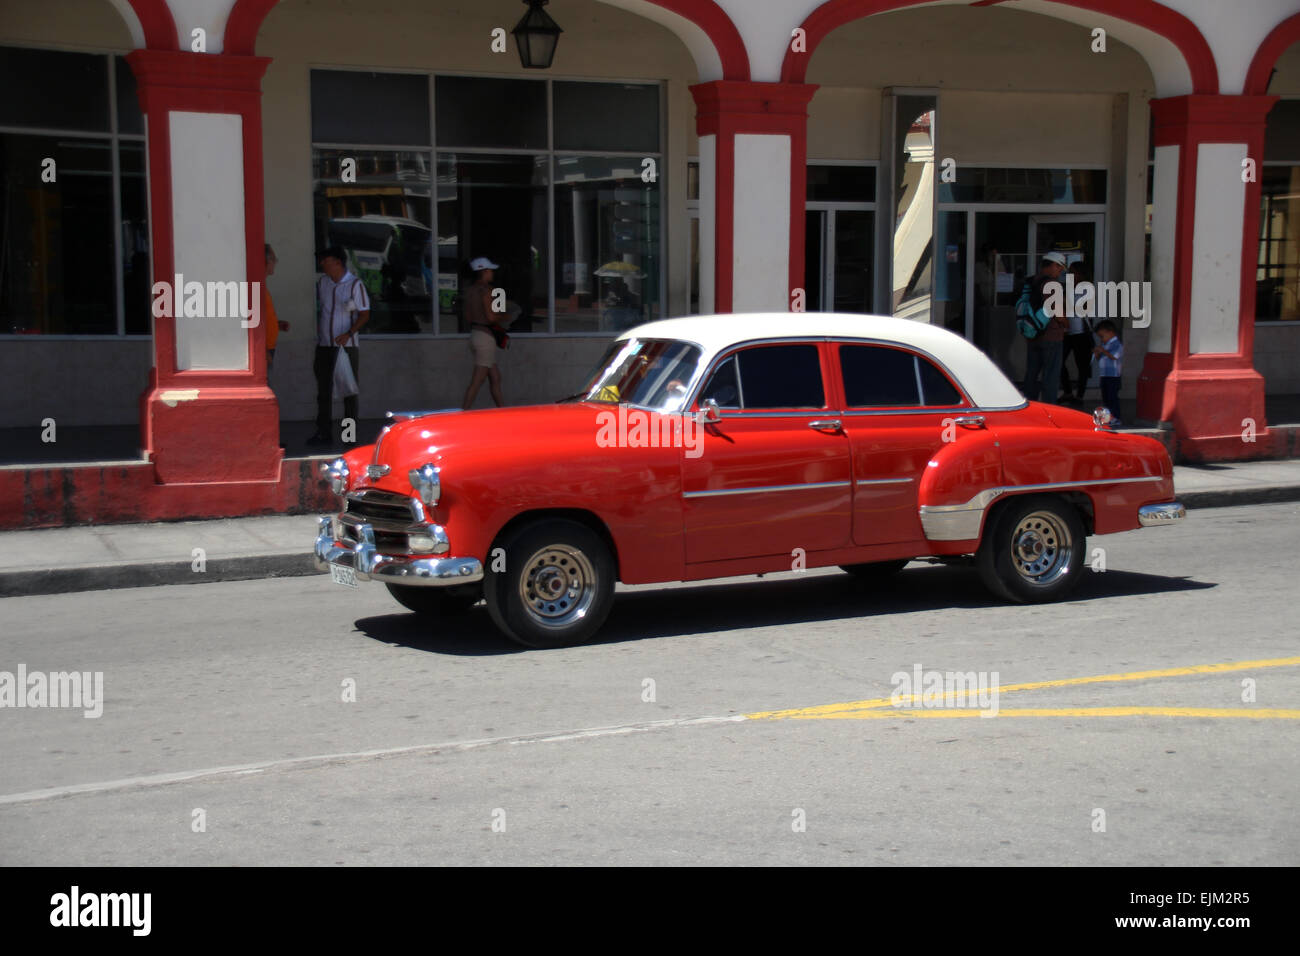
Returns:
point(133, 556)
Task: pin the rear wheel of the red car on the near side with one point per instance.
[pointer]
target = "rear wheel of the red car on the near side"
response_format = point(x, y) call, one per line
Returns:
point(1033, 550)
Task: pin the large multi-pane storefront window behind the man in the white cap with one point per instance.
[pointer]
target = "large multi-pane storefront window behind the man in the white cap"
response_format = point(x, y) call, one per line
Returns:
point(501, 148)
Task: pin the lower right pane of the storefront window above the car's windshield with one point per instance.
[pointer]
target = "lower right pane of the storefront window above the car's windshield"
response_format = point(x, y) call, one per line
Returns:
point(606, 243)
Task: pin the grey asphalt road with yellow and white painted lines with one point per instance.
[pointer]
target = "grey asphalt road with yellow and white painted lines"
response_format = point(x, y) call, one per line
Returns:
point(224, 704)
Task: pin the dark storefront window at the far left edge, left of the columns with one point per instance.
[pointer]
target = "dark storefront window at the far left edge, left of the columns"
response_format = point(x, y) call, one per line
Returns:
point(71, 265)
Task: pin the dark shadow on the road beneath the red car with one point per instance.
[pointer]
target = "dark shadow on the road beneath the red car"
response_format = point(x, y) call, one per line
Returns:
point(673, 612)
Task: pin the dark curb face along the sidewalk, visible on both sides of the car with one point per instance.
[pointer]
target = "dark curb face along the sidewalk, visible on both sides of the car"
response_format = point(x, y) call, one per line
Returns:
point(64, 581)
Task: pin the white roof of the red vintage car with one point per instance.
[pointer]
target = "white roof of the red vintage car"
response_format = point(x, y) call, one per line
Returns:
point(973, 370)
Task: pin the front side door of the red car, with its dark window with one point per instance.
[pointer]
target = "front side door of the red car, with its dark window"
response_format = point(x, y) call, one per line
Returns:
point(774, 474)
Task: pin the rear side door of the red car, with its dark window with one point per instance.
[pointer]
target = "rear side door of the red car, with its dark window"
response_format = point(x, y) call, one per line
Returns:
point(900, 409)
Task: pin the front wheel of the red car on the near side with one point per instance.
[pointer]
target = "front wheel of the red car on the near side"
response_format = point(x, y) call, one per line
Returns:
point(558, 585)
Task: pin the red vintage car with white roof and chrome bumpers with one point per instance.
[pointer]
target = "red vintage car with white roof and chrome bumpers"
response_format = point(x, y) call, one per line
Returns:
point(729, 445)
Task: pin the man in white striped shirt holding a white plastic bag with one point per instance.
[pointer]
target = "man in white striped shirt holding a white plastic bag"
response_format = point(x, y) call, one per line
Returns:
point(344, 308)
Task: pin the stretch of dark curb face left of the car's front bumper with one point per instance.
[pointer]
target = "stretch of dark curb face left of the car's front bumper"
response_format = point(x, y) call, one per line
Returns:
point(63, 581)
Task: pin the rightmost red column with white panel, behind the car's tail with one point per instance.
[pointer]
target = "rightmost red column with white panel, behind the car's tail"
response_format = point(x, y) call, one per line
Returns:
point(1207, 396)
